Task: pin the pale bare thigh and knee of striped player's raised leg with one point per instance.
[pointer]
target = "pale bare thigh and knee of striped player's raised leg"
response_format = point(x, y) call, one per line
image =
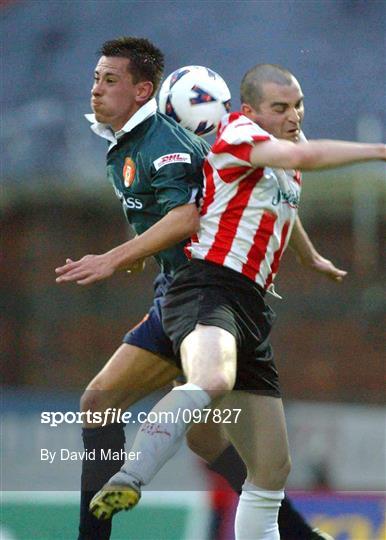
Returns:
point(209, 358)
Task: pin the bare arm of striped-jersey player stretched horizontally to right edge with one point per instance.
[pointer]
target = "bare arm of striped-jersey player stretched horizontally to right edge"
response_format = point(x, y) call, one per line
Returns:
point(314, 155)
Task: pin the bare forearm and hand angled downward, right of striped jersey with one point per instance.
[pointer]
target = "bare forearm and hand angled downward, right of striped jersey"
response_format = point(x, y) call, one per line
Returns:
point(308, 255)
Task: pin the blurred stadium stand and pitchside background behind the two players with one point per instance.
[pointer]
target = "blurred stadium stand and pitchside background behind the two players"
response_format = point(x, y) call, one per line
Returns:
point(56, 203)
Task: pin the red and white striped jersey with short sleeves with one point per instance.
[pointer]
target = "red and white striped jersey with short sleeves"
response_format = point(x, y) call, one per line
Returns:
point(247, 213)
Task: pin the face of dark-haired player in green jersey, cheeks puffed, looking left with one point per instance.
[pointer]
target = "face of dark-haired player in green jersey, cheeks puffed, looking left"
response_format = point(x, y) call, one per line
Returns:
point(114, 96)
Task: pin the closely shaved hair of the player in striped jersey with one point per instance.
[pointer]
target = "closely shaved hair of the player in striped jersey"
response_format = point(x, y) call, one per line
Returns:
point(251, 89)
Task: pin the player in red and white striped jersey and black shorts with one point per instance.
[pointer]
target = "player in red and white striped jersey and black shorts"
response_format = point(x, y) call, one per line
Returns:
point(215, 311)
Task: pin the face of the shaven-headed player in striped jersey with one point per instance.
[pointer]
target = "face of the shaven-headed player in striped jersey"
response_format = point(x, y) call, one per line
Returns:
point(281, 110)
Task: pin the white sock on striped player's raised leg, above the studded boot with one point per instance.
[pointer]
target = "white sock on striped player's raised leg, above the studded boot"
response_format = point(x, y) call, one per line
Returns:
point(158, 441)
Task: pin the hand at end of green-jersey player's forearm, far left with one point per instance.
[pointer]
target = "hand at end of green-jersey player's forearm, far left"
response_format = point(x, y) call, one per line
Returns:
point(87, 270)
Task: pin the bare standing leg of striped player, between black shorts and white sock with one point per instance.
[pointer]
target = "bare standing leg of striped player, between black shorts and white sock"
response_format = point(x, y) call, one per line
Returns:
point(260, 437)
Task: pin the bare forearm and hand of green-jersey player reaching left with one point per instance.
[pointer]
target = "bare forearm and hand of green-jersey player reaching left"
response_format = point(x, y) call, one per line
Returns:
point(179, 224)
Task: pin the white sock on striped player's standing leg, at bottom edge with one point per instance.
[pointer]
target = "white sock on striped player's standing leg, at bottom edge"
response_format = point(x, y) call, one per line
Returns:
point(257, 511)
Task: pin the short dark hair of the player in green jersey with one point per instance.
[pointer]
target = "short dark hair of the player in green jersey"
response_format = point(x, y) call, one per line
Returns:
point(146, 60)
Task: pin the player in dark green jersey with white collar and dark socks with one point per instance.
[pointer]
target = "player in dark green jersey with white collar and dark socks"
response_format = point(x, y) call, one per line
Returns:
point(154, 166)
